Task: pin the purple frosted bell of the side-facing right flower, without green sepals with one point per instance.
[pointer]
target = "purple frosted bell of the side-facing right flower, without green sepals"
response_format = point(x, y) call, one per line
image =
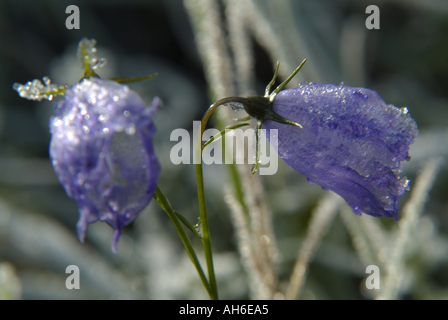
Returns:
point(352, 143)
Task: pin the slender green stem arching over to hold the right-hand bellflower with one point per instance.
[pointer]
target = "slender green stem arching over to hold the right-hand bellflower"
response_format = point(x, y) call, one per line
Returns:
point(201, 194)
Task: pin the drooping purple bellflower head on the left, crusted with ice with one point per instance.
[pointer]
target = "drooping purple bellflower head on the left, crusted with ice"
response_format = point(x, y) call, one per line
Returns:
point(102, 152)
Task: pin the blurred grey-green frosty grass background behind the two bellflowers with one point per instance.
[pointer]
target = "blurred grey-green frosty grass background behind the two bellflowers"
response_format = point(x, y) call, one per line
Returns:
point(405, 61)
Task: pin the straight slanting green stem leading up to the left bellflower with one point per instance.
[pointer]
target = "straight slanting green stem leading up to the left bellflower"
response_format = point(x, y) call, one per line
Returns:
point(166, 206)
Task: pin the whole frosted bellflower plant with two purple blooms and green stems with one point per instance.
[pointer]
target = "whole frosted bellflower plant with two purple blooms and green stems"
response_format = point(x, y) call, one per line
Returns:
point(345, 139)
